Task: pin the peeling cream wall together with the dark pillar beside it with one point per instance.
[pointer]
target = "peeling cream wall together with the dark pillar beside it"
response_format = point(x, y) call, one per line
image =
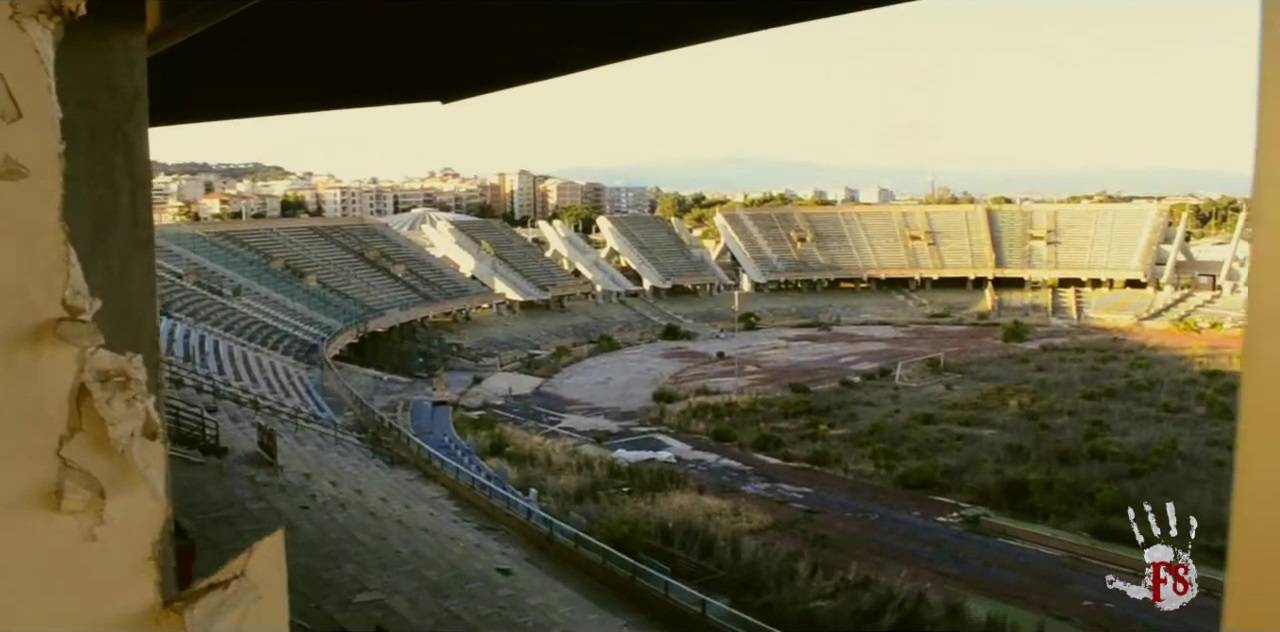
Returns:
point(84, 462)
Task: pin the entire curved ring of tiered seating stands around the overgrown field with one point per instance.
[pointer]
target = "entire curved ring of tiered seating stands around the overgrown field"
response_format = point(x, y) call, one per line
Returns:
point(252, 315)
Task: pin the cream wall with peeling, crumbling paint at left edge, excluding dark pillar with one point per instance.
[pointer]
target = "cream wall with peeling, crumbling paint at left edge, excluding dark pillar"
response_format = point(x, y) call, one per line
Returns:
point(84, 464)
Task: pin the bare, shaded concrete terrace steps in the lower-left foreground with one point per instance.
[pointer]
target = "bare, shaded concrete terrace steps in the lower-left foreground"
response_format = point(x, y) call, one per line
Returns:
point(373, 546)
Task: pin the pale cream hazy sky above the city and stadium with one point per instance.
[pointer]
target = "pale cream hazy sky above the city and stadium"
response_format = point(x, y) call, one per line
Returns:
point(1011, 95)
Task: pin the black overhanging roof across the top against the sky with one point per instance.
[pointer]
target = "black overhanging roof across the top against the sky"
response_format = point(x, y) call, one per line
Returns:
point(245, 58)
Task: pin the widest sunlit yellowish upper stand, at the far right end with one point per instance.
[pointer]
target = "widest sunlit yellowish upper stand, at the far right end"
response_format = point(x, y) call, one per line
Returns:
point(1035, 242)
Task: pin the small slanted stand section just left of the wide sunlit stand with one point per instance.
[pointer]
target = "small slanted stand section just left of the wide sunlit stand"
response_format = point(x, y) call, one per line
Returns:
point(661, 251)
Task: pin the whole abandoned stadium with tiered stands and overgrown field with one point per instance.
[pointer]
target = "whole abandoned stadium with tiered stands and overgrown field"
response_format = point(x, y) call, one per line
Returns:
point(733, 365)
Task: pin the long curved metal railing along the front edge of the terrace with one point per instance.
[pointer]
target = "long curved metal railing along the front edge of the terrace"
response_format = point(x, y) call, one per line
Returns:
point(592, 549)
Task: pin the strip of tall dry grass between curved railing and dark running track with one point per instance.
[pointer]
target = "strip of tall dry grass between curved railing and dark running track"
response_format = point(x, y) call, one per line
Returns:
point(659, 511)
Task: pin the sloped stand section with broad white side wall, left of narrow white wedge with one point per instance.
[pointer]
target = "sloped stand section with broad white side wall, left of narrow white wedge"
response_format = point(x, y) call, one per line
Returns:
point(495, 254)
